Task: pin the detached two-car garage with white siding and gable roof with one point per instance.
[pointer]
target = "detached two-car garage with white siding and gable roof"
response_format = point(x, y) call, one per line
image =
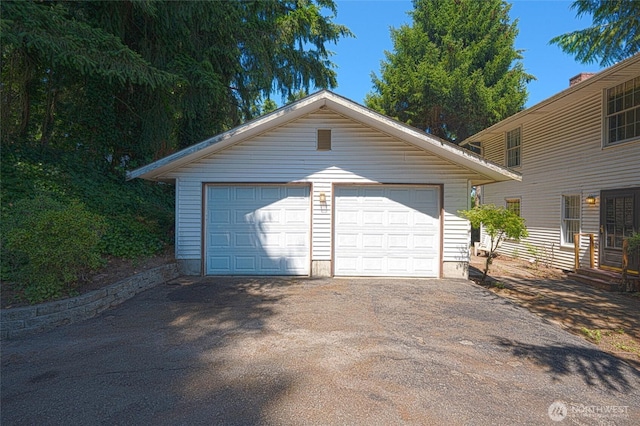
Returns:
point(323, 187)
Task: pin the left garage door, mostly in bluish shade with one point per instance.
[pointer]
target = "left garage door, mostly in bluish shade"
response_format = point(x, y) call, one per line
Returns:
point(257, 230)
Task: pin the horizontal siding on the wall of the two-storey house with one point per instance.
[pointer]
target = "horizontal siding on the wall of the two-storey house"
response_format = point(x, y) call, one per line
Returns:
point(562, 154)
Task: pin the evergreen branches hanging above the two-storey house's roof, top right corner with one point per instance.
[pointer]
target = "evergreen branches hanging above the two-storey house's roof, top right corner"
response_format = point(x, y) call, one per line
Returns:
point(614, 35)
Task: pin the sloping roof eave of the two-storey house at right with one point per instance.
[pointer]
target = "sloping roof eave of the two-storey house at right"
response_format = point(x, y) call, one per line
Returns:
point(596, 84)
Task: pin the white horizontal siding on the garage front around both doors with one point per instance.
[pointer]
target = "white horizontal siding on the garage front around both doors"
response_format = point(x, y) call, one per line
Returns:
point(359, 154)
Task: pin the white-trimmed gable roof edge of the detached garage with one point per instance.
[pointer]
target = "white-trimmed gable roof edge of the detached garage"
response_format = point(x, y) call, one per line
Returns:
point(485, 171)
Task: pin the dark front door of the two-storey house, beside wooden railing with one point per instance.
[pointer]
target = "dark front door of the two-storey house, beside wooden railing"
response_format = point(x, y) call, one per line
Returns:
point(619, 219)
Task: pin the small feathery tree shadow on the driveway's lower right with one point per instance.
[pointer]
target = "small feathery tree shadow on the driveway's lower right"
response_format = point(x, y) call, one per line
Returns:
point(591, 364)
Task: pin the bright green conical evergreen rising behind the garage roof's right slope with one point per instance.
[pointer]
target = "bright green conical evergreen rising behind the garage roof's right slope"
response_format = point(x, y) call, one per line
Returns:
point(454, 71)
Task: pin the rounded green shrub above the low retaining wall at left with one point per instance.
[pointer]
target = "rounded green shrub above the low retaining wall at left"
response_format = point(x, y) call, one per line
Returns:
point(48, 245)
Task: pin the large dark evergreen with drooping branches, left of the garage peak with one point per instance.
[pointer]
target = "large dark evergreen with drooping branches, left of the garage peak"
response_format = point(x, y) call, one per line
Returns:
point(129, 81)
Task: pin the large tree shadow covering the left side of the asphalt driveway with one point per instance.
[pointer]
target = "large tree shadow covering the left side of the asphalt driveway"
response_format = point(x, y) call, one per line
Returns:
point(171, 355)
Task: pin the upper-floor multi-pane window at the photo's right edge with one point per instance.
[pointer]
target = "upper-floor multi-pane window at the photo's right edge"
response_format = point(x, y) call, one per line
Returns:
point(622, 120)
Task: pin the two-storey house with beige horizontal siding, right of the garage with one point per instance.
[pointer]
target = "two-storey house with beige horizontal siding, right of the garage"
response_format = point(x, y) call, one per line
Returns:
point(579, 156)
